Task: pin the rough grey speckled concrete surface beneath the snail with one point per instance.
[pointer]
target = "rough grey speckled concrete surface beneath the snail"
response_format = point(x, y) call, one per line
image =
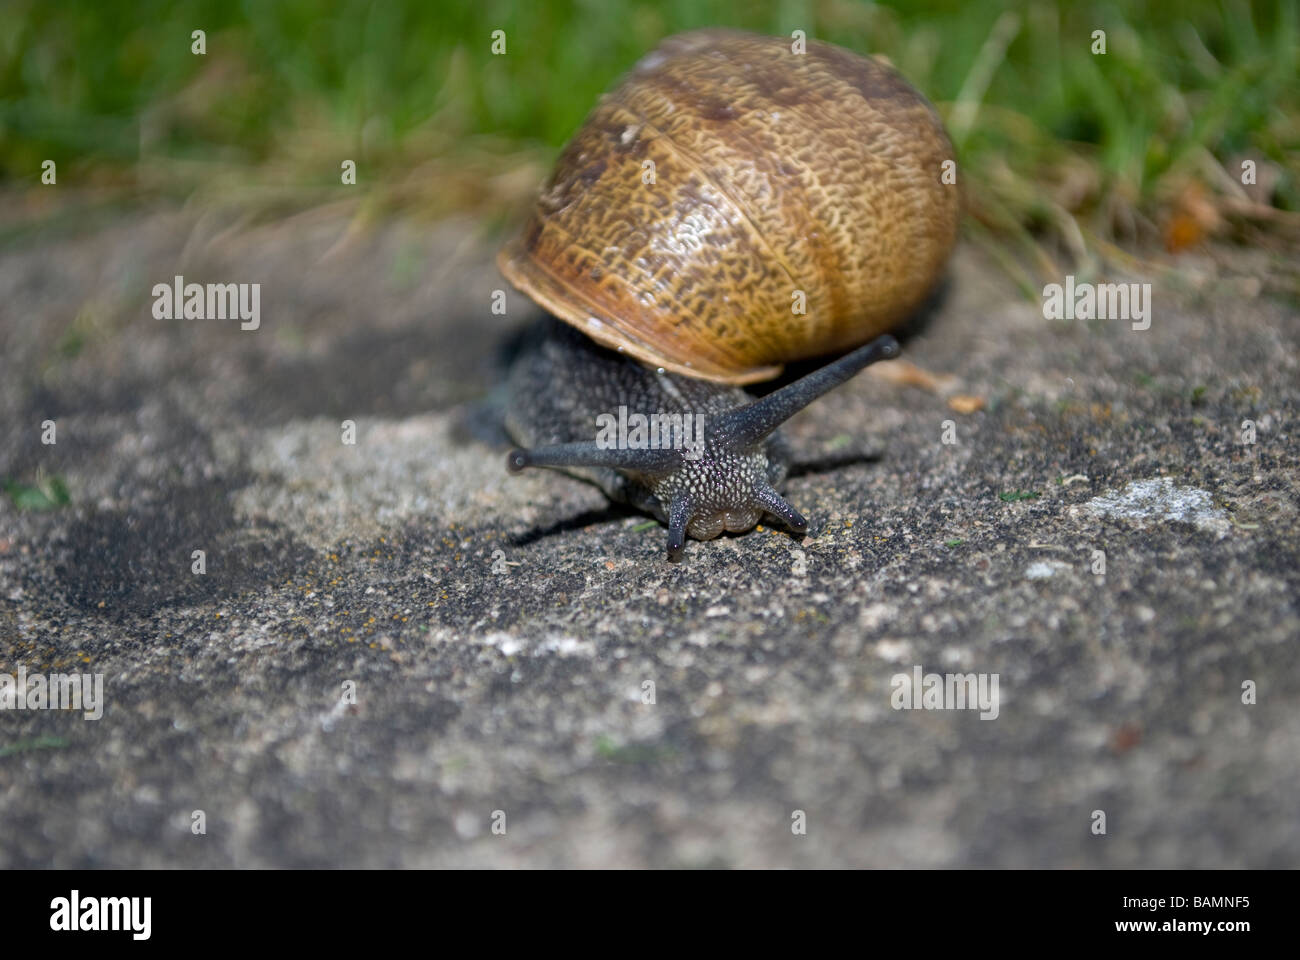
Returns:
point(523, 691)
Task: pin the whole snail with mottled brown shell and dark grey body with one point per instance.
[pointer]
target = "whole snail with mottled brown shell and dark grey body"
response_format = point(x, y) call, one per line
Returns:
point(730, 207)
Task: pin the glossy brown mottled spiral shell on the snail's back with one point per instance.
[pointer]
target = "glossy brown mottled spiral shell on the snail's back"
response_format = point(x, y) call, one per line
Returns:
point(774, 172)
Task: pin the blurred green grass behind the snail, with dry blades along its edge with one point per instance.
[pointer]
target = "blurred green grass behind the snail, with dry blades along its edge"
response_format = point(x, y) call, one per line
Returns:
point(1068, 159)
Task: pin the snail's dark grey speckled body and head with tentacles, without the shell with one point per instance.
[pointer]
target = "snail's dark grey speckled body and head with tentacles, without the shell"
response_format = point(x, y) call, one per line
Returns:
point(564, 382)
